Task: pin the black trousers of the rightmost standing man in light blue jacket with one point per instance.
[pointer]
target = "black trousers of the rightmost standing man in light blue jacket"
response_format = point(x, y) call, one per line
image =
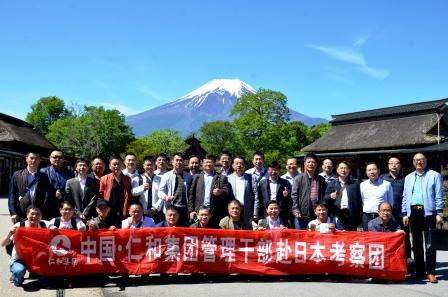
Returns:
point(420, 225)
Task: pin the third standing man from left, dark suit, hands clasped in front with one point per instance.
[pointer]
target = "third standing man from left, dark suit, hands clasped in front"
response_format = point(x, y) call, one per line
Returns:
point(82, 190)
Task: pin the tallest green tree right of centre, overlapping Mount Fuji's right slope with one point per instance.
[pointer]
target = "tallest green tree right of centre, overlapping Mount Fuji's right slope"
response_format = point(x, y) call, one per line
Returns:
point(257, 120)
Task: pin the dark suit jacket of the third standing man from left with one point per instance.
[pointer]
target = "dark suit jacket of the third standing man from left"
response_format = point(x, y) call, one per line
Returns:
point(84, 201)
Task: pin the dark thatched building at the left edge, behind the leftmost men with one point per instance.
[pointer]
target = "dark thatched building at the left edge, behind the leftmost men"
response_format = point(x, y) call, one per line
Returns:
point(17, 138)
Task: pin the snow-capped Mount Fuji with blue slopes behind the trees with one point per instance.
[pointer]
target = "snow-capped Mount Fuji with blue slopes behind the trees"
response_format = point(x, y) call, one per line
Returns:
point(211, 102)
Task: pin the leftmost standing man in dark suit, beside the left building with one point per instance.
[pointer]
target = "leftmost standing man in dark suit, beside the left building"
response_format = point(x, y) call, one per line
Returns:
point(27, 187)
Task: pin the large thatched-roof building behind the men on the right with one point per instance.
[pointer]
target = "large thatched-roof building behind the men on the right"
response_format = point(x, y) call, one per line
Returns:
point(377, 134)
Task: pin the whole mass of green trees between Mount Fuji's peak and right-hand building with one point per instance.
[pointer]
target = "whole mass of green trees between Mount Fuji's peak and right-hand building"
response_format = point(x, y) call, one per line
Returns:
point(261, 122)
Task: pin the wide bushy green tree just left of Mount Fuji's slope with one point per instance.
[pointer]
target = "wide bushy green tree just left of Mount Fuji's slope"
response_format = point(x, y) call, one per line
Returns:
point(95, 130)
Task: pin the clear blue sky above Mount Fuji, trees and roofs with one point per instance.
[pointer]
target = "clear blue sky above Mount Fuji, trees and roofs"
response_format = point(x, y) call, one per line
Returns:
point(327, 57)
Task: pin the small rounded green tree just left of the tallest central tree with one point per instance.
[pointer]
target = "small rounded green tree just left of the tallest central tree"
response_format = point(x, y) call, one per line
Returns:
point(217, 136)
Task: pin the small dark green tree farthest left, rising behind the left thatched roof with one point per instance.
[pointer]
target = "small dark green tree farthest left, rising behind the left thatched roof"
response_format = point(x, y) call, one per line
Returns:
point(45, 112)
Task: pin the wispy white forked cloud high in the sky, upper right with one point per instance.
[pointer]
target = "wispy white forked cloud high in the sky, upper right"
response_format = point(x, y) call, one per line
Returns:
point(353, 56)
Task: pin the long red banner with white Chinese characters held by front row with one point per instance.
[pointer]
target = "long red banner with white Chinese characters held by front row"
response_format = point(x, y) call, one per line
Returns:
point(188, 250)
